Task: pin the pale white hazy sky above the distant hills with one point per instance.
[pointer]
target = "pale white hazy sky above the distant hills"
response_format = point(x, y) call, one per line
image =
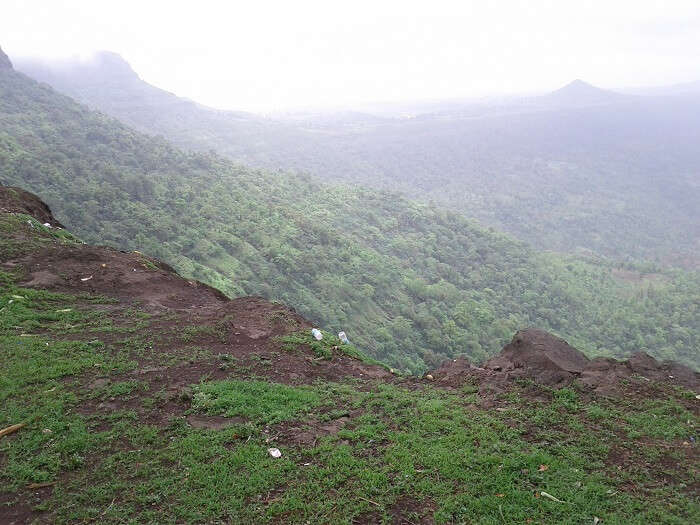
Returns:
point(263, 55)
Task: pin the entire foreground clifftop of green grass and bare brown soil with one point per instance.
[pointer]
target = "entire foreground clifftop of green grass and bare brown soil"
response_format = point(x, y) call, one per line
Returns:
point(139, 396)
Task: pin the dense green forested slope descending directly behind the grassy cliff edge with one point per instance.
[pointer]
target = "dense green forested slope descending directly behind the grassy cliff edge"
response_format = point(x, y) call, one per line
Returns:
point(410, 283)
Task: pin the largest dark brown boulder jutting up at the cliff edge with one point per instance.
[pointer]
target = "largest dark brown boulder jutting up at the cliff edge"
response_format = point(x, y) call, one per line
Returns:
point(540, 356)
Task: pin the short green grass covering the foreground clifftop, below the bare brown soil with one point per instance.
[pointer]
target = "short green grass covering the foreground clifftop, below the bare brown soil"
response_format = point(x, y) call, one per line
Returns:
point(397, 451)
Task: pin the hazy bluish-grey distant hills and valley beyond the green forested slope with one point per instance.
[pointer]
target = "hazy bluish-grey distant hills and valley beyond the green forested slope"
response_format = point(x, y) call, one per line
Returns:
point(578, 170)
